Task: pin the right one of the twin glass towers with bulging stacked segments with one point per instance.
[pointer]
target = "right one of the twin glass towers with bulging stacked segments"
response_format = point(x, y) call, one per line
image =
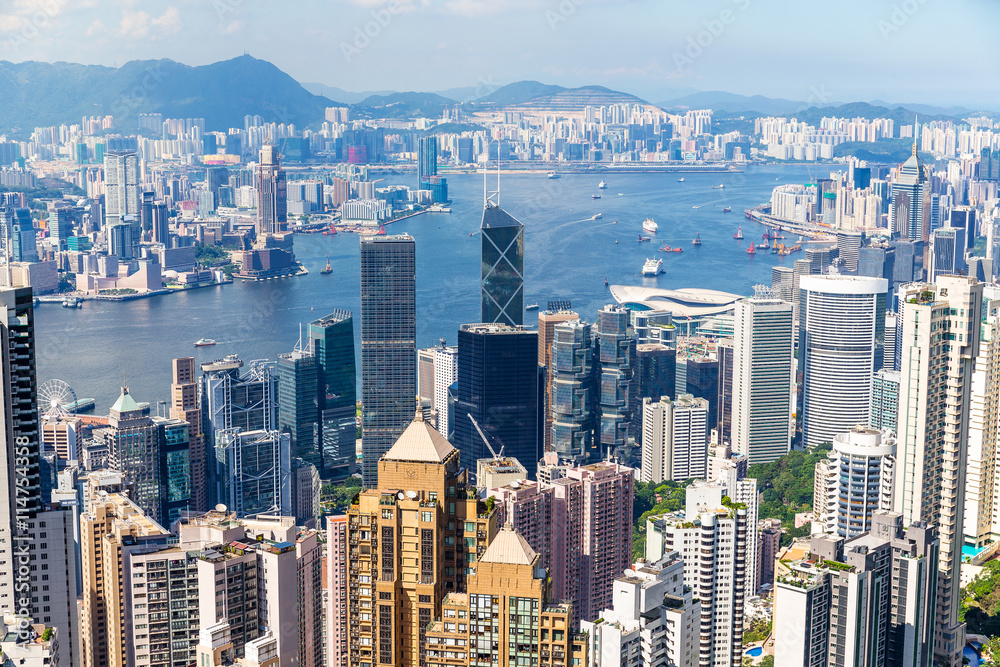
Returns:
point(615, 363)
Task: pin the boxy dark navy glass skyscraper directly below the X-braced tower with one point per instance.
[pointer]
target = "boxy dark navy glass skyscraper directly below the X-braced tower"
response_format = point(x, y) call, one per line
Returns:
point(498, 384)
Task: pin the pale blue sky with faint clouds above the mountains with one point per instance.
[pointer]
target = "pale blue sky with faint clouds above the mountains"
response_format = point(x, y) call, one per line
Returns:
point(904, 51)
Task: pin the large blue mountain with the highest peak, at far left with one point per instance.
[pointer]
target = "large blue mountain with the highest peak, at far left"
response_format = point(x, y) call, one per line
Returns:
point(42, 94)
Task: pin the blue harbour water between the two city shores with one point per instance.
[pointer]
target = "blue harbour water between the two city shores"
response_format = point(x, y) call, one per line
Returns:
point(567, 256)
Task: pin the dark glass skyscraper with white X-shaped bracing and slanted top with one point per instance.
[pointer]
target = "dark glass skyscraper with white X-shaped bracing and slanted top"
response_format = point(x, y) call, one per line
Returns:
point(503, 267)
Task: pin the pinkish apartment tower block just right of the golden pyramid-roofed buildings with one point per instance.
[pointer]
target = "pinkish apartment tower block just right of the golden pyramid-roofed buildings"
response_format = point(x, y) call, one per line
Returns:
point(579, 520)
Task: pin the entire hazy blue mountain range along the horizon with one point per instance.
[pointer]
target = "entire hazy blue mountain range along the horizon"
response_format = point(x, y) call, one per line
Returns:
point(44, 94)
